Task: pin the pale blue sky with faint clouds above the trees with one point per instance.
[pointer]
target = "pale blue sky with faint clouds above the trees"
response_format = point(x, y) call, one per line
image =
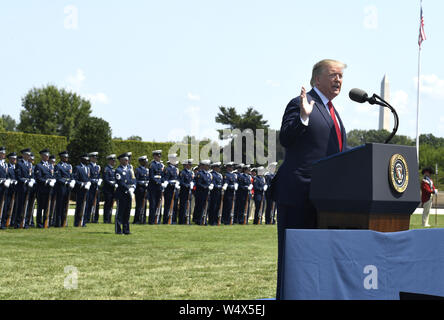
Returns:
point(161, 69)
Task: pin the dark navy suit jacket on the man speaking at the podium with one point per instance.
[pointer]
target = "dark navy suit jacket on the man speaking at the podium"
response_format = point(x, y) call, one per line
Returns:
point(304, 145)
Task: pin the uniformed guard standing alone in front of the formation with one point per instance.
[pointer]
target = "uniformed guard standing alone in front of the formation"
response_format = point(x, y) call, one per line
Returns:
point(126, 186)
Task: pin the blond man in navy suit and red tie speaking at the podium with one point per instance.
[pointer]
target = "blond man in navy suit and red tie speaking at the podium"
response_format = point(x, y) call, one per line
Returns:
point(311, 130)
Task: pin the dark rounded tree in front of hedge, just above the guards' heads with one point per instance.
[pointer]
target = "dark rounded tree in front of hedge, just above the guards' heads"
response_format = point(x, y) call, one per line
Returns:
point(93, 135)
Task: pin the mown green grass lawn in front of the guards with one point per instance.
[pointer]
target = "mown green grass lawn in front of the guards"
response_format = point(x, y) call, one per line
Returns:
point(154, 262)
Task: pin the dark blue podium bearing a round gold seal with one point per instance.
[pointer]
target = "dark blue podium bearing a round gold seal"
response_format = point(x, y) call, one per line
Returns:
point(374, 187)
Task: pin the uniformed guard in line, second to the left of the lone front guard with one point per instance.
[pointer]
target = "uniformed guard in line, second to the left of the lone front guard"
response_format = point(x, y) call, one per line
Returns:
point(92, 207)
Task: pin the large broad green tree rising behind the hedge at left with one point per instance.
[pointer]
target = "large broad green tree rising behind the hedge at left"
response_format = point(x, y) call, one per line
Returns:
point(53, 111)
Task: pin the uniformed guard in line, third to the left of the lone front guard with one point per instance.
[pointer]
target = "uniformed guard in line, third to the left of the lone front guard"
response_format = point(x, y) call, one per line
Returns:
point(82, 176)
